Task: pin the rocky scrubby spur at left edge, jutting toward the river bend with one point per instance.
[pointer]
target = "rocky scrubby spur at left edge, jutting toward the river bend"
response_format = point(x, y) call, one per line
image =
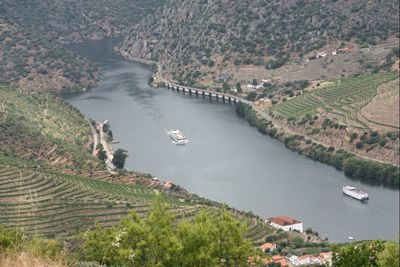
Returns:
point(30, 62)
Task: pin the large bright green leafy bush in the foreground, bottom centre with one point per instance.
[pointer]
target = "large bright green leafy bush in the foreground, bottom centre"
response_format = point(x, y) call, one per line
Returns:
point(213, 238)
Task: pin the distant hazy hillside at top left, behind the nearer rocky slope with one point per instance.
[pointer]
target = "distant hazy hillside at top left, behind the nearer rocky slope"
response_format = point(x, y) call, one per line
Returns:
point(76, 20)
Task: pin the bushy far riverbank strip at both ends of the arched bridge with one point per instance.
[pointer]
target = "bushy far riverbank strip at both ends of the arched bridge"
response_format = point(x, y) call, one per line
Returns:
point(354, 166)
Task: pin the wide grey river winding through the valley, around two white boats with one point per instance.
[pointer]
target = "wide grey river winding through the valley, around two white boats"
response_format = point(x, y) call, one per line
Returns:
point(226, 160)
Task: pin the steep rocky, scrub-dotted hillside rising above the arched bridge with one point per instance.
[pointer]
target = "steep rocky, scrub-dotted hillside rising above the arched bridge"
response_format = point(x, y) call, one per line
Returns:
point(205, 38)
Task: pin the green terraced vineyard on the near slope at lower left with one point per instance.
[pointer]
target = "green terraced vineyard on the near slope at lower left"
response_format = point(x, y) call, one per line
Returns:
point(60, 205)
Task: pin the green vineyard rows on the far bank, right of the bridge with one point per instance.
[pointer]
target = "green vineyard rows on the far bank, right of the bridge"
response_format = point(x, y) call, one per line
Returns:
point(344, 100)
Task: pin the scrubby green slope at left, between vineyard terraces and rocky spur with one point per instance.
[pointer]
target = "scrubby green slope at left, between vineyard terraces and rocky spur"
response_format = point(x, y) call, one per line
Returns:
point(40, 126)
